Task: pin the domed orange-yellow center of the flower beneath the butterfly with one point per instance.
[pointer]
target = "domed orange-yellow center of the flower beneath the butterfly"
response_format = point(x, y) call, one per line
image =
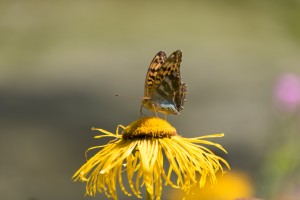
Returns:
point(147, 128)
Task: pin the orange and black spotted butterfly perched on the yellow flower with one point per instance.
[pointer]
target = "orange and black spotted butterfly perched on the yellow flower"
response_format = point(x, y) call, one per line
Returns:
point(164, 92)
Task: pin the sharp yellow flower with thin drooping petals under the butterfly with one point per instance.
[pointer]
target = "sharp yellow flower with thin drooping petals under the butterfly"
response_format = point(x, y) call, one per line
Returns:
point(140, 151)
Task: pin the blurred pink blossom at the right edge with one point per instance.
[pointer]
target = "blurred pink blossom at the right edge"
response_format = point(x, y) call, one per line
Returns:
point(287, 92)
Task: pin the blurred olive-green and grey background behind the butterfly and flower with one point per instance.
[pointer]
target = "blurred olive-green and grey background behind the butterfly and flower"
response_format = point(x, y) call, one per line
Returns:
point(63, 62)
